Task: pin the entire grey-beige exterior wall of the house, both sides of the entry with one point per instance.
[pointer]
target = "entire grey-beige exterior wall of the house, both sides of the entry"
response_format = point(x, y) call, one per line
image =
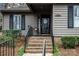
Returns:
point(59, 23)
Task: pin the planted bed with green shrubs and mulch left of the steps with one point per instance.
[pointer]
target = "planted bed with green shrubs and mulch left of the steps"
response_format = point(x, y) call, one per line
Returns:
point(14, 43)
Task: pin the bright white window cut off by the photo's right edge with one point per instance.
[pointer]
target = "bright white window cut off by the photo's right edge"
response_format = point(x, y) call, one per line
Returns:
point(76, 16)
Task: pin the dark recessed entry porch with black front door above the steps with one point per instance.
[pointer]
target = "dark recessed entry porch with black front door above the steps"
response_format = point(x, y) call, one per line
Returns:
point(43, 13)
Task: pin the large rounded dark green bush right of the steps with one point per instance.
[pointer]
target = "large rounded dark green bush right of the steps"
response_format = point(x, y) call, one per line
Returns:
point(68, 41)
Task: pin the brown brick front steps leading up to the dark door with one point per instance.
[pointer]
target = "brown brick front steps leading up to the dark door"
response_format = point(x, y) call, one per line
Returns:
point(35, 44)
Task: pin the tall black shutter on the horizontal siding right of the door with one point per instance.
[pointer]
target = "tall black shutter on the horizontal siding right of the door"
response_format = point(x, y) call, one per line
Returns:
point(70, 16)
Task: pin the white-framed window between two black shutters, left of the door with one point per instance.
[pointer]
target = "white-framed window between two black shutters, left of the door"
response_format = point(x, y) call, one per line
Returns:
point(17, 22)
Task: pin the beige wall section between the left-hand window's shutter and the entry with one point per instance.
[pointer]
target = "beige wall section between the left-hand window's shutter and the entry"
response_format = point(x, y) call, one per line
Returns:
point(30, 20)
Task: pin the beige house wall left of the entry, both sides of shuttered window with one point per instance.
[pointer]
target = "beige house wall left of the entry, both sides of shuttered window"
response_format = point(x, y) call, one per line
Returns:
point(30, 19)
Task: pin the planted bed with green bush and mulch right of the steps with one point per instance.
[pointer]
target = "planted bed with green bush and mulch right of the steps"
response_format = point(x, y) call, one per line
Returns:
point(69, 46)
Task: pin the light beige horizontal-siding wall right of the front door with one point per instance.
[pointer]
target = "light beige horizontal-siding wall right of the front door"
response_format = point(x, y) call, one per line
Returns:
point(60, 23)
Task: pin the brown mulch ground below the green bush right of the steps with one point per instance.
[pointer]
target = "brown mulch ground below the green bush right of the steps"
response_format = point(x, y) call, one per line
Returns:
point(69, 52)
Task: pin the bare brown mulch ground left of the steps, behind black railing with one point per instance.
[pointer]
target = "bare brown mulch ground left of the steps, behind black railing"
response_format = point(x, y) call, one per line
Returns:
point(19, 44)
